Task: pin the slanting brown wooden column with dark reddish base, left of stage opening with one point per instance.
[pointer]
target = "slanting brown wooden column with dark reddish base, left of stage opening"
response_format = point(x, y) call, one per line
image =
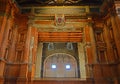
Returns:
point(23, 75)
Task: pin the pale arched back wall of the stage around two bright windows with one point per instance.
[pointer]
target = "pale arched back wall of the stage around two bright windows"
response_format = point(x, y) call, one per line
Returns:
point(60, 71)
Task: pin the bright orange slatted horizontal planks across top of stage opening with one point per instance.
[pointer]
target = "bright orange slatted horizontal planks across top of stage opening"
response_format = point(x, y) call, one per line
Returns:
point(60, 36)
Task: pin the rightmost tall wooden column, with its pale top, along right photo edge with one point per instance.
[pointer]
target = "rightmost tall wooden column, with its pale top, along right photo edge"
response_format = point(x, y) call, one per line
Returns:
point(115, 19)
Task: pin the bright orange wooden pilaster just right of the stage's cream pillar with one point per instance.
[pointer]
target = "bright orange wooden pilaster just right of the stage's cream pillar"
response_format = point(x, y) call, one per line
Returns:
point(90, 44)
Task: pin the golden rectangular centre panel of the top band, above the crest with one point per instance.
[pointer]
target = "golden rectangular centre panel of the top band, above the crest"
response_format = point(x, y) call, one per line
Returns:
point(59, 10)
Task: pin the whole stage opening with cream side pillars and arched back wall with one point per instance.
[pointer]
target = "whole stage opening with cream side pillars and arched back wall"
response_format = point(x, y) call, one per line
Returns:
point(60, 60)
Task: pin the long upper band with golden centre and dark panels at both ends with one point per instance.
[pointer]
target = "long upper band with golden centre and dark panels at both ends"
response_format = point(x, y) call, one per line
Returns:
point(67, 10)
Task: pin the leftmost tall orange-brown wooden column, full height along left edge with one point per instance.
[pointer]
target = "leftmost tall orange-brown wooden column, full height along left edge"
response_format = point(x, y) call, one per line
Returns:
point(5, 26)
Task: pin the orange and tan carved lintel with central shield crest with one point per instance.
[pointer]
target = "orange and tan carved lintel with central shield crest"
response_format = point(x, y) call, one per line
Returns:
point(55, 26)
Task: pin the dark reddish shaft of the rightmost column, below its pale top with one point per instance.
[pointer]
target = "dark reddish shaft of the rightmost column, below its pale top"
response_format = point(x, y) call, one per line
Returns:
point(116, 32)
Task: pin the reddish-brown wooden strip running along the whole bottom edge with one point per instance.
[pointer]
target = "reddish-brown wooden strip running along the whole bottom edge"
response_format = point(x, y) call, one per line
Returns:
point(61, 81)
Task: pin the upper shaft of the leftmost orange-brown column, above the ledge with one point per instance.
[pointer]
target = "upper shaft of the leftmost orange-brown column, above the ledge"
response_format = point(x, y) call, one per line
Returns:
point(4, 28)
